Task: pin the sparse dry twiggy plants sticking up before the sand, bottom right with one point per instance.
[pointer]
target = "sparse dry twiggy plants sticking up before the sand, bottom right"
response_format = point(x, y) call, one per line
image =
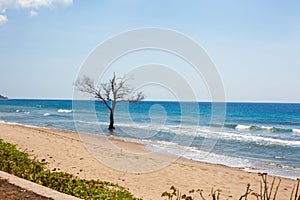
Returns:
point(268, 191)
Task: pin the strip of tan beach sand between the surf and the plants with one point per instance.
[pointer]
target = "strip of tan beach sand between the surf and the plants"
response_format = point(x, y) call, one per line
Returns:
point(65, 151)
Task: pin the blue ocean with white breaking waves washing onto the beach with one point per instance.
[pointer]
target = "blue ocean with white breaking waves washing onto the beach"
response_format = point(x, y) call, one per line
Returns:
point(255, 137)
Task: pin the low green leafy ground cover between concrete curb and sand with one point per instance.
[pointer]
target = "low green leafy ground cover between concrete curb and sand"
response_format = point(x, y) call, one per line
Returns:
point(18, 163)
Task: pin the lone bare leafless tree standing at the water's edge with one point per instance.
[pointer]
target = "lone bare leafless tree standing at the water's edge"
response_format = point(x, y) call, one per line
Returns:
point(110, 93)
